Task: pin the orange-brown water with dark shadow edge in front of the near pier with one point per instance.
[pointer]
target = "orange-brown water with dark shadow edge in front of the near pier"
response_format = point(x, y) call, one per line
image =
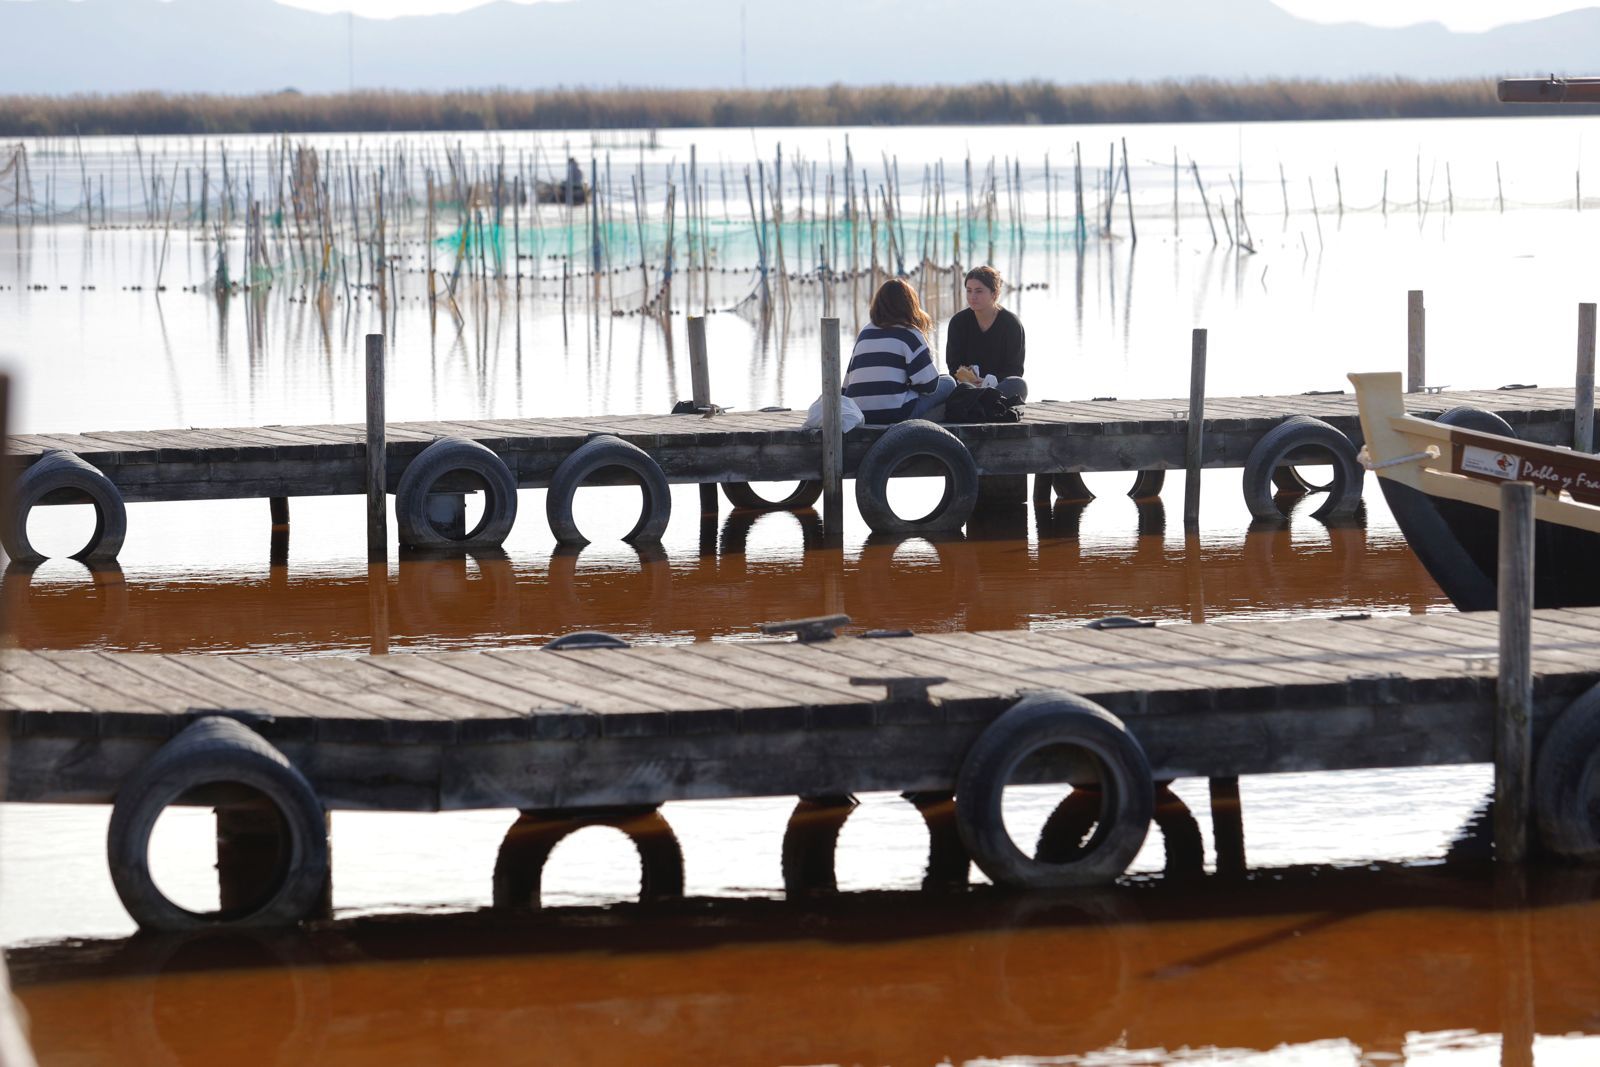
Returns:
point(1377, 962)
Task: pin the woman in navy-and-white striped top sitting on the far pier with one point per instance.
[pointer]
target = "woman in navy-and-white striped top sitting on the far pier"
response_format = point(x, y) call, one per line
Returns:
point(892, 375)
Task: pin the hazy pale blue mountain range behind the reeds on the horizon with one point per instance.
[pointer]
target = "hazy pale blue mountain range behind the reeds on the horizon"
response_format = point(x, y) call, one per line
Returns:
point(257, 46)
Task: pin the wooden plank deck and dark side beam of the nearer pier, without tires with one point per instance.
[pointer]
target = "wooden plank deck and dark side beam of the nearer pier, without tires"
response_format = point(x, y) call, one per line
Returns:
point(738, 719)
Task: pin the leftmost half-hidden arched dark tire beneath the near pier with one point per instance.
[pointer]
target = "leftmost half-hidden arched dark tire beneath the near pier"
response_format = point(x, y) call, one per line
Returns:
point(519, 868)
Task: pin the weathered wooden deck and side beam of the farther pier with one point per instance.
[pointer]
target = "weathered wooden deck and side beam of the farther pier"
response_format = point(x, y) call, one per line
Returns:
point(734, 447)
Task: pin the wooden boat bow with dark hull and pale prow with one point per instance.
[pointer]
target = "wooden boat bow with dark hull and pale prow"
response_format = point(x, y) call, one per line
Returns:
point(1442, 484)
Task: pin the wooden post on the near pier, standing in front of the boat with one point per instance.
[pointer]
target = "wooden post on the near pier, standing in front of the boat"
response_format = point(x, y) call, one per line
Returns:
point(1514, 719)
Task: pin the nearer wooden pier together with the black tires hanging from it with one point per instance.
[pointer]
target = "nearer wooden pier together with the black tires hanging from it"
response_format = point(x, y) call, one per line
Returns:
point(590, 730)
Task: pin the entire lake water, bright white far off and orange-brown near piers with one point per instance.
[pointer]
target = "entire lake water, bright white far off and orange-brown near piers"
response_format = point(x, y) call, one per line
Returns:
point(1367, 929)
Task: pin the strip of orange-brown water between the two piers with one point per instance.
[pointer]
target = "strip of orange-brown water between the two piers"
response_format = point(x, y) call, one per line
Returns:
point(994, 578)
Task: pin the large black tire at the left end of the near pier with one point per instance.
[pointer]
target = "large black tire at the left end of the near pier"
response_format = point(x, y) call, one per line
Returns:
point(210, 751)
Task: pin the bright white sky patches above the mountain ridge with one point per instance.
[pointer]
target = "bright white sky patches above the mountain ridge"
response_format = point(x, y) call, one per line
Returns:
point(1458, 15)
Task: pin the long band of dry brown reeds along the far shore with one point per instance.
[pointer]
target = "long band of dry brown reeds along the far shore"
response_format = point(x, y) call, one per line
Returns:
point(1047, 103)
